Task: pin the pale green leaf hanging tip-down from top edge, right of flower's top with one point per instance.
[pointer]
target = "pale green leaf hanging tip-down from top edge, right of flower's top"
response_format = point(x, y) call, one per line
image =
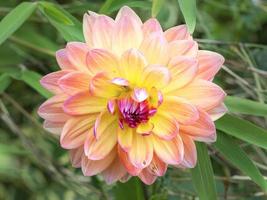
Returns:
point(189, 10)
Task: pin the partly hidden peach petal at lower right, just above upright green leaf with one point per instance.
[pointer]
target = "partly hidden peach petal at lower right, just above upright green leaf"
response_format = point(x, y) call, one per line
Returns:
point(190, 152)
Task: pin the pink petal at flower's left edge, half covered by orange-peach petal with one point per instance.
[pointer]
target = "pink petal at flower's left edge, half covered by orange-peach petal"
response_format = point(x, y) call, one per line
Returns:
point(50, 81)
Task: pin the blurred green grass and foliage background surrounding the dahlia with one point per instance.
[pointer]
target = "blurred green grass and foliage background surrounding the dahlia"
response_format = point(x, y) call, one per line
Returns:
point(32, 164)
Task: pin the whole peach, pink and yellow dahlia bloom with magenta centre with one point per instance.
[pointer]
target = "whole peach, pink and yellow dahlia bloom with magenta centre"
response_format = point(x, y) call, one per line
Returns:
point(133, 98)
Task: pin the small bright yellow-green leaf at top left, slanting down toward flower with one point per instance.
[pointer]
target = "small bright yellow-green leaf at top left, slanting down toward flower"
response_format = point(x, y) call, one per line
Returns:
point(55, 13)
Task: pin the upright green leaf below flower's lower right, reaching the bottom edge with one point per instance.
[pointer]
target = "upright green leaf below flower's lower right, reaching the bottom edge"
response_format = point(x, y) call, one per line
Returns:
point(202, 175)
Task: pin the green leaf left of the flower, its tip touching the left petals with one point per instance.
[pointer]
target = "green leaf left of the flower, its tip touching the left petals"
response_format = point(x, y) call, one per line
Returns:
point(32, 79)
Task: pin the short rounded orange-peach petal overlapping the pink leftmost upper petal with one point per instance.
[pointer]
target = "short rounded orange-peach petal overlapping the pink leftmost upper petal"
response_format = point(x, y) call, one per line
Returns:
point(74, 82)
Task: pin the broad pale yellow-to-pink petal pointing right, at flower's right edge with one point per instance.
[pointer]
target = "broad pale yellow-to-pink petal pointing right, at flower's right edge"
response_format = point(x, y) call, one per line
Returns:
point(203, 94)
